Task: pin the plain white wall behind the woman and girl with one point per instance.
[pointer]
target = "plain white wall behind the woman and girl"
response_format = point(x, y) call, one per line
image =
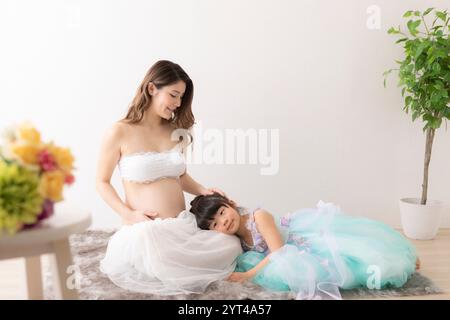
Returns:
point(312, 69)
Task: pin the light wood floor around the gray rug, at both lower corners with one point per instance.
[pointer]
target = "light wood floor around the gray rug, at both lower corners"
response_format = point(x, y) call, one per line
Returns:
point(434, 256)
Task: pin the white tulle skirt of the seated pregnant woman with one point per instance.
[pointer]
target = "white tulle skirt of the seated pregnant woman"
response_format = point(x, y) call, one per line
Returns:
point(170, 256)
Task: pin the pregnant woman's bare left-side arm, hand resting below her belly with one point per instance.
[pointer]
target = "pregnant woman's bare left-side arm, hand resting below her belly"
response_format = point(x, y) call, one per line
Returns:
point(108, 158)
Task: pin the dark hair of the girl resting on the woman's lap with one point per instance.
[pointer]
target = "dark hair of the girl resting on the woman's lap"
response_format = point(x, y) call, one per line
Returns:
point(205, 207)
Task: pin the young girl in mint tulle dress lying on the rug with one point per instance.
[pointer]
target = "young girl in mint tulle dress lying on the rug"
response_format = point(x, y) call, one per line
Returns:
point(312, 252)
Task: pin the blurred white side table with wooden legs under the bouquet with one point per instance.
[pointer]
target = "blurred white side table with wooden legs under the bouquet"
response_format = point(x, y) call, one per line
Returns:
point(51, 237)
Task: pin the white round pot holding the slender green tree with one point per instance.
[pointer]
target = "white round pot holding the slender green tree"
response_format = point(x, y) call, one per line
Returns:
point(420, 221)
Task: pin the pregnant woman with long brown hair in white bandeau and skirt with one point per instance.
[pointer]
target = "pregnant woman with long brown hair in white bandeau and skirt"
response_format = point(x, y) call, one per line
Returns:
point(159, 248)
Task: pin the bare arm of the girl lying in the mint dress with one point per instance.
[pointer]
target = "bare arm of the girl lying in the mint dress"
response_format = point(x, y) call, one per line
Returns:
point(265, 224)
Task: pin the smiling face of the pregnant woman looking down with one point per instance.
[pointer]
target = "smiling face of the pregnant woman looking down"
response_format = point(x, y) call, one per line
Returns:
point(167, 99)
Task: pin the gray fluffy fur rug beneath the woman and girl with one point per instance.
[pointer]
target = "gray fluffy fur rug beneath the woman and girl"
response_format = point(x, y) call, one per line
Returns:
point(88, 248)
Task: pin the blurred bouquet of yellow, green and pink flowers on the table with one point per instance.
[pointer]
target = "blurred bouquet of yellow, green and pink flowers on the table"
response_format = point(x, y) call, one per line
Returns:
point(32, 177)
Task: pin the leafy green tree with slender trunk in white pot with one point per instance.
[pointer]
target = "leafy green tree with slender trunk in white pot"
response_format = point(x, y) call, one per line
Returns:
point(424, 75)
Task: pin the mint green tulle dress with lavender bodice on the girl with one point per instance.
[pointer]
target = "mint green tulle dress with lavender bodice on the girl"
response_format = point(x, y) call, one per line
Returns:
point(327, 250)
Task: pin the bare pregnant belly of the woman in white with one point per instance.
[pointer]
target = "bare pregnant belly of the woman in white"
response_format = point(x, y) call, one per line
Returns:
point(163, 196)
